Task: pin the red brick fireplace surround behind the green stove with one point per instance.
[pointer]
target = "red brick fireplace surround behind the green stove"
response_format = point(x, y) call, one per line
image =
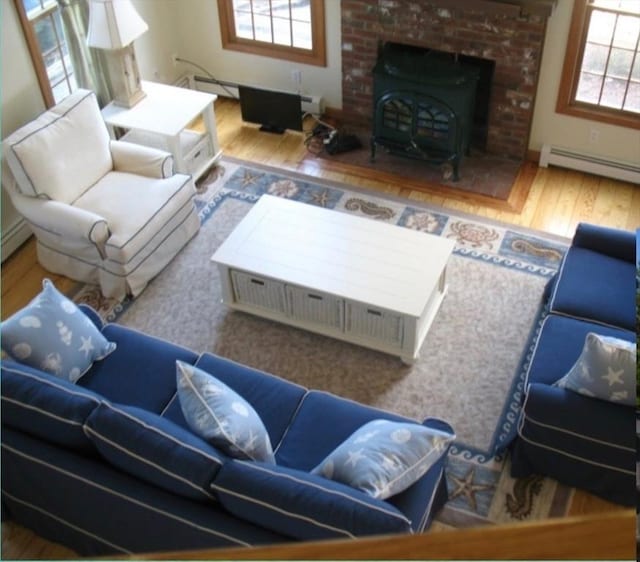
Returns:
point(510, 32)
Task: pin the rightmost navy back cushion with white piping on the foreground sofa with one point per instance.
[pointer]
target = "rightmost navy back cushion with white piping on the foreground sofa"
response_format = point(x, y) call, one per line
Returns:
point(301, 505)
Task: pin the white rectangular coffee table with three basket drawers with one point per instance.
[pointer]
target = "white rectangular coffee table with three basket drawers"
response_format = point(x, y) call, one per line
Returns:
point(344, 276)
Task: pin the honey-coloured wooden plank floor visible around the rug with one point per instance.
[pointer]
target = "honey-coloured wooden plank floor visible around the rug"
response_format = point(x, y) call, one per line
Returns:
point(554, 200)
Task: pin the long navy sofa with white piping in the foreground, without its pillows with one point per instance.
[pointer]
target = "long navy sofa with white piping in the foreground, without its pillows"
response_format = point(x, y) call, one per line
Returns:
point(109, 464)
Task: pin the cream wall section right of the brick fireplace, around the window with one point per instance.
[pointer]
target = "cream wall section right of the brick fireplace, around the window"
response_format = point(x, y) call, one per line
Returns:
point(619, 143)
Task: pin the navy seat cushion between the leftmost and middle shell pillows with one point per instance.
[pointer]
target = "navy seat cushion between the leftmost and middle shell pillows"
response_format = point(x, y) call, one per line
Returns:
point(141, 373)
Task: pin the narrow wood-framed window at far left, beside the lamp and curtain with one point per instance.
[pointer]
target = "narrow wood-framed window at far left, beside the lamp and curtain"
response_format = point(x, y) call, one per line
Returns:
point(43, 30)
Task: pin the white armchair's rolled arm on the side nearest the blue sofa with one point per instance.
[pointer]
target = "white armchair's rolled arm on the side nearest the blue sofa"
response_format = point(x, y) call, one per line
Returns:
point(63, 220)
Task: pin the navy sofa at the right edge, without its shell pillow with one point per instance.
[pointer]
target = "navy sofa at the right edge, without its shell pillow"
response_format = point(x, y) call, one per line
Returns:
point(579, 440)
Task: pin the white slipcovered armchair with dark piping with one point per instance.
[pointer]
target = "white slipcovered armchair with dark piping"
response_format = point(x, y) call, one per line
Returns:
point(106, 212)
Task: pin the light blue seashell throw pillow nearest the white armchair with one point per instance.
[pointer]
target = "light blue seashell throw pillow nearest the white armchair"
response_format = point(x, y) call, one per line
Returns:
point(52, 334)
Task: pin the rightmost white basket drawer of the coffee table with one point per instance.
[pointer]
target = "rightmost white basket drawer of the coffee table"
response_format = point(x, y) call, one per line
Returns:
point(371, 322)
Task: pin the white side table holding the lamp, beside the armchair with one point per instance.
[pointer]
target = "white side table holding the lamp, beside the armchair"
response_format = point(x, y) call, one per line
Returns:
point(163, 118)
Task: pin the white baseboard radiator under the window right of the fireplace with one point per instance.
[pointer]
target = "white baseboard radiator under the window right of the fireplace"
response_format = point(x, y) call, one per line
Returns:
point(574, 160)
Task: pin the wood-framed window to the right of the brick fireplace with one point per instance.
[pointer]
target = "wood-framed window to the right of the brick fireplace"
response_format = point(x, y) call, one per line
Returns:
point(601, 75)
